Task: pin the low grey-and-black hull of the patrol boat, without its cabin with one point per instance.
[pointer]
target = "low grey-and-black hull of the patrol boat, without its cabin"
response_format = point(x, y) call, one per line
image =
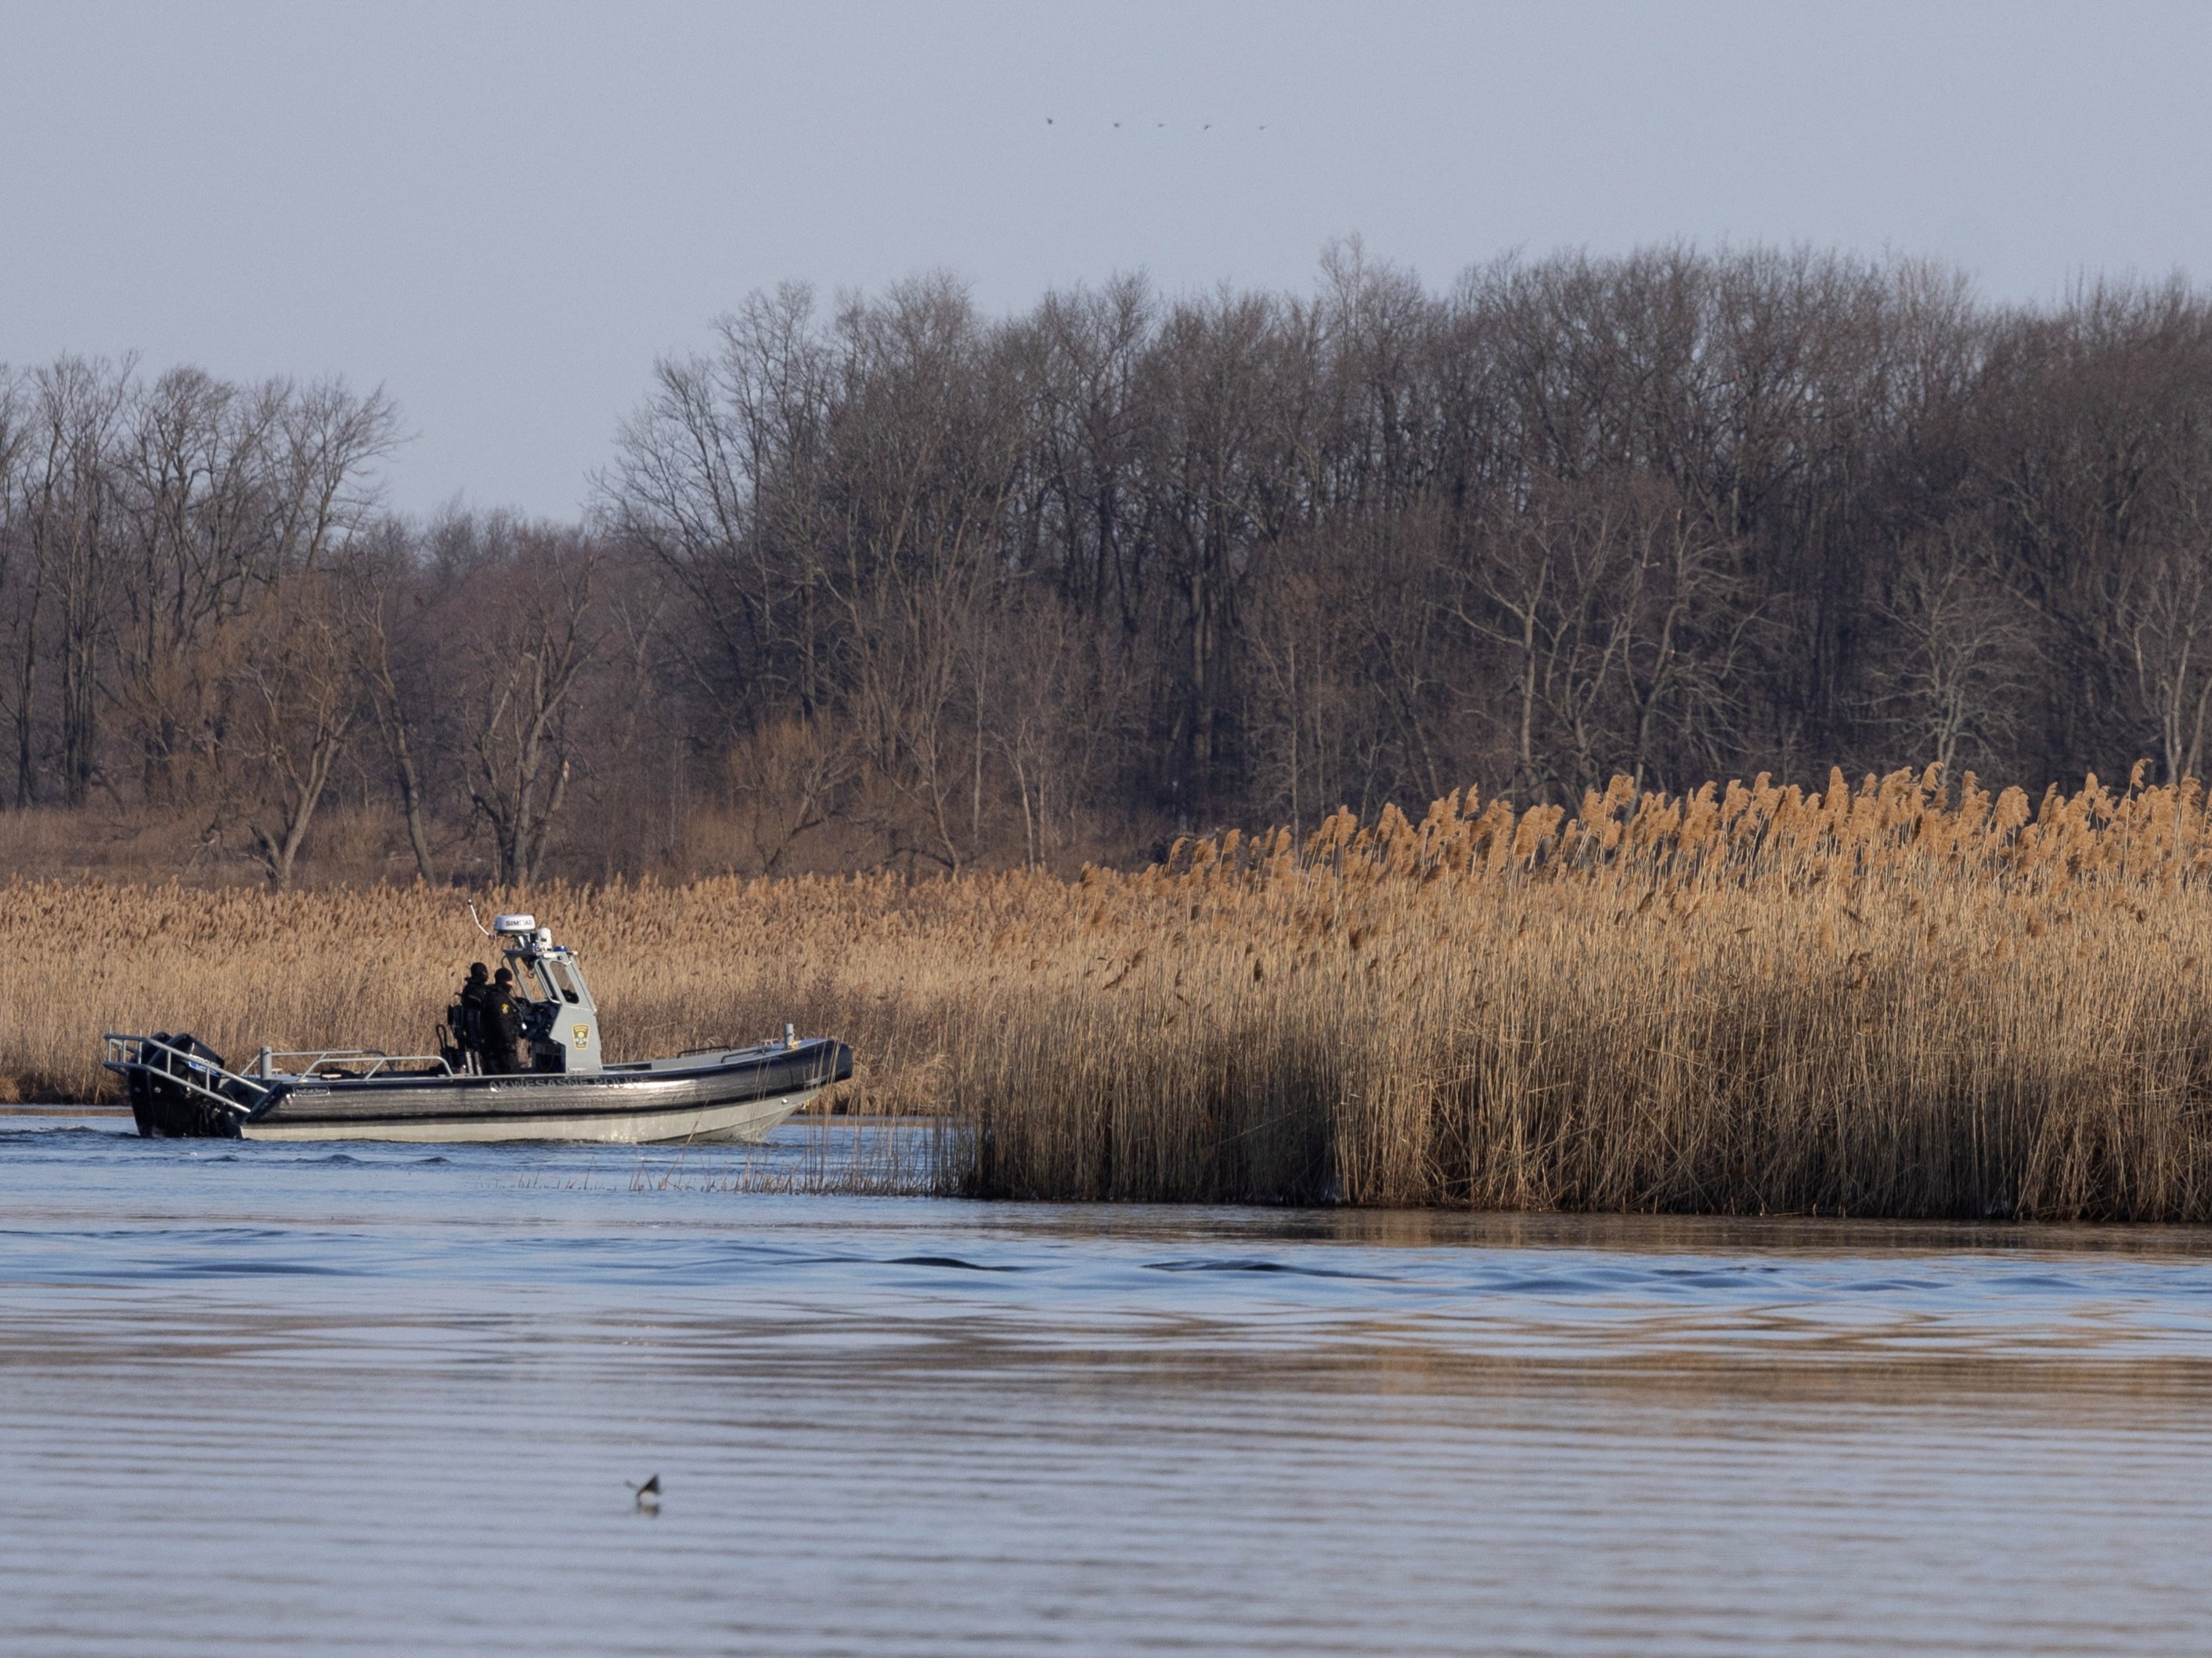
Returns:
point(738, 1098)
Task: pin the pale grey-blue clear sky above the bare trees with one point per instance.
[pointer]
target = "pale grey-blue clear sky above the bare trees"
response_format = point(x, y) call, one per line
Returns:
point(503, 213)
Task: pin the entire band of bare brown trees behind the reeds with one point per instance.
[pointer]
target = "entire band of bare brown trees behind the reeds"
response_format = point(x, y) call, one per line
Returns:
point(897, 583)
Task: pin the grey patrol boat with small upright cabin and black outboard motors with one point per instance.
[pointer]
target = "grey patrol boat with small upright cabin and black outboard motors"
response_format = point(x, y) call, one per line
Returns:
point(570, 1093)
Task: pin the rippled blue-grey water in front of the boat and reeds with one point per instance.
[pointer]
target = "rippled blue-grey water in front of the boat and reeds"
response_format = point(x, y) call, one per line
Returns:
point(393, 1398)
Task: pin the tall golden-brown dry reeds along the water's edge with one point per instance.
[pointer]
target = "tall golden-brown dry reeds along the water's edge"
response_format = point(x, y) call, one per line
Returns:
point(1749, 1000)
